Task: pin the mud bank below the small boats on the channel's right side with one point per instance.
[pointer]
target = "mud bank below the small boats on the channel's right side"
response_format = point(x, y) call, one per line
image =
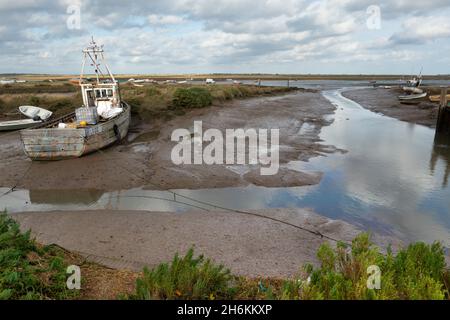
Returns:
point(386, 101)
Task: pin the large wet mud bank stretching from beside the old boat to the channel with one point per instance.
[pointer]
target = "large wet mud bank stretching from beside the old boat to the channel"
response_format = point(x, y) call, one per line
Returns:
point(144, 158)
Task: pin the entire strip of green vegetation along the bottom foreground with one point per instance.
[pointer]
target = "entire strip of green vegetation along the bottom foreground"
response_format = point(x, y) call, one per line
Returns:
point(31, 271)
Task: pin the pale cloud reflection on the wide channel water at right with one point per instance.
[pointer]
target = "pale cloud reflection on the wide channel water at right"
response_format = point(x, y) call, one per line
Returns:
point(388, 168)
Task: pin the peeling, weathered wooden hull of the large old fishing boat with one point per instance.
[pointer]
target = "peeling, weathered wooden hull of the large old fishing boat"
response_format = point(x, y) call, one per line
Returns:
point(51, 143)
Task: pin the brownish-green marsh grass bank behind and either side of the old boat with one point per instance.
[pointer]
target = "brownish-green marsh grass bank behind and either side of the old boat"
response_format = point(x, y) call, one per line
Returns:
point(156, 101)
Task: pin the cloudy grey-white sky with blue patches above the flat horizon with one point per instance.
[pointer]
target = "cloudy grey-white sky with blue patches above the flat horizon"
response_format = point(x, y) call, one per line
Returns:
point(233, 36)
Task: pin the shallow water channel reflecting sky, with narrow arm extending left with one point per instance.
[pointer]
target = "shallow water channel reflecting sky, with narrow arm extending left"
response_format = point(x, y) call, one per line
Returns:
point(393, 179)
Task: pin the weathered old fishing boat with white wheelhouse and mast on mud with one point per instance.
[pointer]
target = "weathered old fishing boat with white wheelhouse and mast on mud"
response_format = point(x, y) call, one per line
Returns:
point(102, 120)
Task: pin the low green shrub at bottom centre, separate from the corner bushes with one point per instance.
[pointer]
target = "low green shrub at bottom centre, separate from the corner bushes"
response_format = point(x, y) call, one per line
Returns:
point(185, 278)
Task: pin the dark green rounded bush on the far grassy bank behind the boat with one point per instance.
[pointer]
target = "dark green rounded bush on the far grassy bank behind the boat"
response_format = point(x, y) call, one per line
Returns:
point(192, 98)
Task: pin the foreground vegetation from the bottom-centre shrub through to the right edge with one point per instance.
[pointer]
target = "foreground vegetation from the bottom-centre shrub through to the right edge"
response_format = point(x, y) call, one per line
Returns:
point(417, 272)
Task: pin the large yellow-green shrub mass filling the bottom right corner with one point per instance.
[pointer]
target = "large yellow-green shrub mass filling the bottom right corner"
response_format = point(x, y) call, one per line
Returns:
point(417, 272)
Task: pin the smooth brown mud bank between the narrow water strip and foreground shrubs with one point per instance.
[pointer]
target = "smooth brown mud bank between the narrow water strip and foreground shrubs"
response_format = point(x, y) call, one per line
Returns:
point(248, 245)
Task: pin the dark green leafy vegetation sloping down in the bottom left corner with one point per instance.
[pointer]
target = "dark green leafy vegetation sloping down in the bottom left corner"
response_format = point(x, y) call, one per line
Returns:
point(28, 271)
